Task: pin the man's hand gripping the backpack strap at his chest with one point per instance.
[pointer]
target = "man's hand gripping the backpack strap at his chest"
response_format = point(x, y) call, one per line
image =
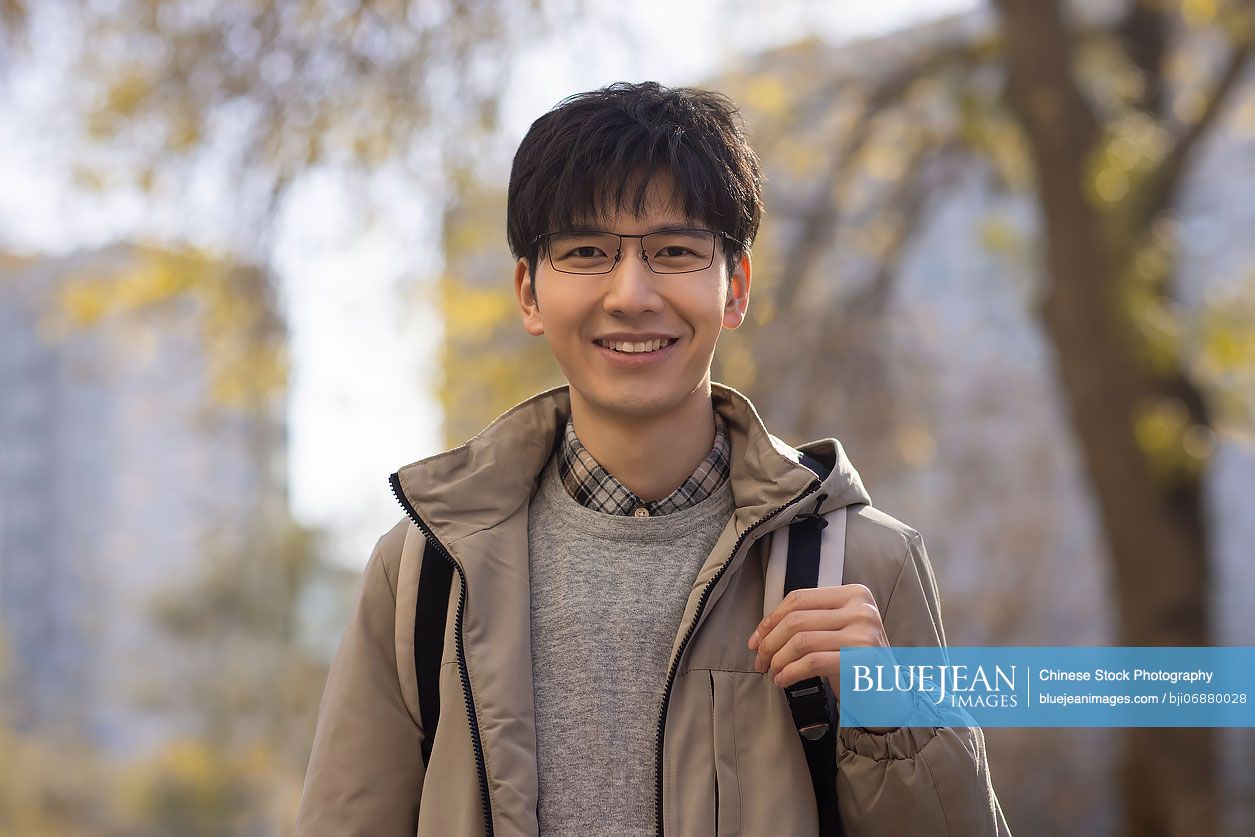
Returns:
point(804, 637)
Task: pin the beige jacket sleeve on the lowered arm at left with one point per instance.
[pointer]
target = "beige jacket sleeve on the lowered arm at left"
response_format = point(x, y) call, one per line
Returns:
point(366, 770)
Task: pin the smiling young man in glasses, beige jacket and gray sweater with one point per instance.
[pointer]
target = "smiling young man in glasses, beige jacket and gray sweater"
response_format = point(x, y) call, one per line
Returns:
point(607, 664)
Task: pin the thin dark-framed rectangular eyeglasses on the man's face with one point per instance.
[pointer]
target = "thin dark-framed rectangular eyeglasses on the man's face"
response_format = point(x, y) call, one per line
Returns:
point(595, 252)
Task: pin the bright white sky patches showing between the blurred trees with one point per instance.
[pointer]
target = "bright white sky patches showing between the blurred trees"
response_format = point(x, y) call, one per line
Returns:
point(363, 341)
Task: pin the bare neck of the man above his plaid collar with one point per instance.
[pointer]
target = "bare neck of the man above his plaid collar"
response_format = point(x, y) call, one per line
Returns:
point(651, 455)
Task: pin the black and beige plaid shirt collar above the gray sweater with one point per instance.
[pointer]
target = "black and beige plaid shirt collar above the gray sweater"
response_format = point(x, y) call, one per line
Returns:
point(594, 488)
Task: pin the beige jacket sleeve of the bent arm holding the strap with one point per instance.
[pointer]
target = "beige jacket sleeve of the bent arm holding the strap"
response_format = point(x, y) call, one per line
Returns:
point(917, 781)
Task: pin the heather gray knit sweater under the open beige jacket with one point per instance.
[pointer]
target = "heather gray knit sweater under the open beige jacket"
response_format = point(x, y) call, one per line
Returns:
point(608, 594)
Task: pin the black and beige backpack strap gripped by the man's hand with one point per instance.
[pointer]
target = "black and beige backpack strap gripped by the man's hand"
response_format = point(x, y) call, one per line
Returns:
point(810, 553)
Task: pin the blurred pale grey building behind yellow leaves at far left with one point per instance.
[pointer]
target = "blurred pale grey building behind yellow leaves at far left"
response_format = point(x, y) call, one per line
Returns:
point(122, 474)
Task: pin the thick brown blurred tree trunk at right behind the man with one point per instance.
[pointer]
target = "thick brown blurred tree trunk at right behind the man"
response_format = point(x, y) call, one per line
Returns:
point(1155, 536)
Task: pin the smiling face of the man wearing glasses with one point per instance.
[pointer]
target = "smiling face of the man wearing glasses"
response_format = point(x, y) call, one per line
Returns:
point(579, 313)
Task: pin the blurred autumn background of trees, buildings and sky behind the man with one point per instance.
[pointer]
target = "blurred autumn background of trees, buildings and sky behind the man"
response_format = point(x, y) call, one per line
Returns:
point(253, 260)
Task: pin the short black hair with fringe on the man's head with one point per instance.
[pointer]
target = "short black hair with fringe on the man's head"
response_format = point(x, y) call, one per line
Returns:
point(582, 159)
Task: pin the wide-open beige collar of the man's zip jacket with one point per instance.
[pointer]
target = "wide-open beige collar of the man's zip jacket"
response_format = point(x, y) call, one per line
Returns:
point(483, 482)
